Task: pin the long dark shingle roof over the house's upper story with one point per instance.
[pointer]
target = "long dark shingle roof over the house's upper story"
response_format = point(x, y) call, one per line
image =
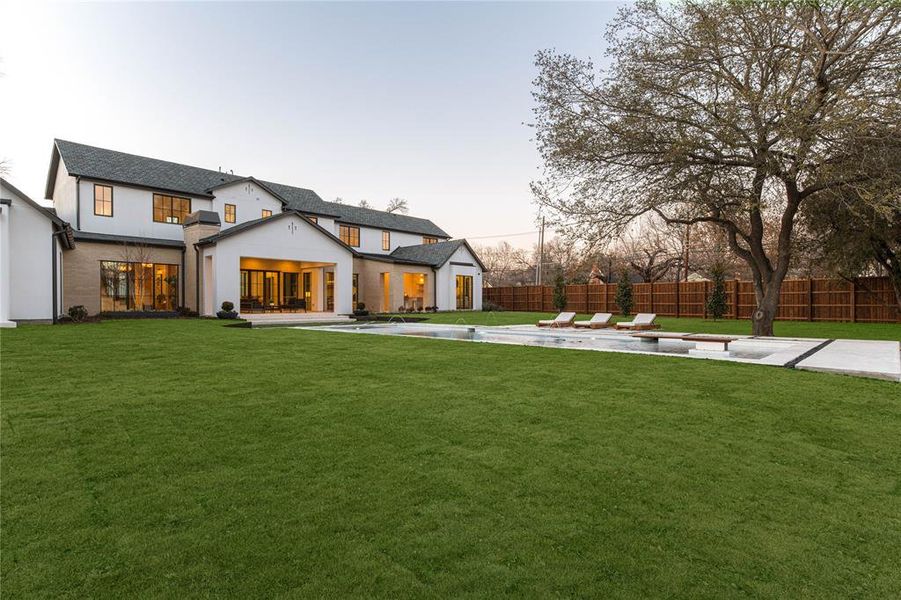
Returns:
point(109, 165)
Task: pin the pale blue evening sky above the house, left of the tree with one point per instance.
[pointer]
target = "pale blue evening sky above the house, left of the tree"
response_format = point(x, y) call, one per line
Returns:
point(426, 101)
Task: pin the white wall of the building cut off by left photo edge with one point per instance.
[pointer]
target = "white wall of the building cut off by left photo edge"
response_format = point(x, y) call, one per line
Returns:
point(27, 260)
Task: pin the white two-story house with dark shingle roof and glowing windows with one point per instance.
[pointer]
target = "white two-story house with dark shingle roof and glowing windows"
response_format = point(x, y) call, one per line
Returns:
point(152, 235)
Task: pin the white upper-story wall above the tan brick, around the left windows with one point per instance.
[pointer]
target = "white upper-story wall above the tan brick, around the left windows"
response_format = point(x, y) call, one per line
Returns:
point(132, 212)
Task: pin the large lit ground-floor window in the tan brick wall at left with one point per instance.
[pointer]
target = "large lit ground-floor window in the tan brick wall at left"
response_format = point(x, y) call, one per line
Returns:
point(134, 286)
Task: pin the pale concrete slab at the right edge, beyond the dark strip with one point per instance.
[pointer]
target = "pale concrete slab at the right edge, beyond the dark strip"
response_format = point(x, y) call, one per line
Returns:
point(864, 358)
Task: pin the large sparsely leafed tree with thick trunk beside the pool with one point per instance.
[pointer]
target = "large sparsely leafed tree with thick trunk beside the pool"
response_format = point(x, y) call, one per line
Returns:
point(735, 114)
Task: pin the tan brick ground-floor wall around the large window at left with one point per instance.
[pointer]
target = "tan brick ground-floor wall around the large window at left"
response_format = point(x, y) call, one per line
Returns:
point(81, 270)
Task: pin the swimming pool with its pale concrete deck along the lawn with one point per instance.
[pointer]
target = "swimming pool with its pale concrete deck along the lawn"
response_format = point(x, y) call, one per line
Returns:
point(861, 358)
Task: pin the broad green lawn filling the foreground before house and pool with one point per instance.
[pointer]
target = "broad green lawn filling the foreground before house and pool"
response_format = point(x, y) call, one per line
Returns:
point(181, 458)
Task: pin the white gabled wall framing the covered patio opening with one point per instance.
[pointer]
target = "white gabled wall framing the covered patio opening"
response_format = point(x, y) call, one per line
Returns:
point(287, 238)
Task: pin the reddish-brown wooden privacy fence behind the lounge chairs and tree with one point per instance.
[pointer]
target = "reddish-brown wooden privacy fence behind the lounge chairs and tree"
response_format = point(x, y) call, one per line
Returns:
point(867, 299)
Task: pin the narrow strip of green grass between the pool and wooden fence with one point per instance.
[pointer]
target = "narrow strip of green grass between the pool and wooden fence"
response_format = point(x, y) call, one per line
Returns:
point(819, 329)
